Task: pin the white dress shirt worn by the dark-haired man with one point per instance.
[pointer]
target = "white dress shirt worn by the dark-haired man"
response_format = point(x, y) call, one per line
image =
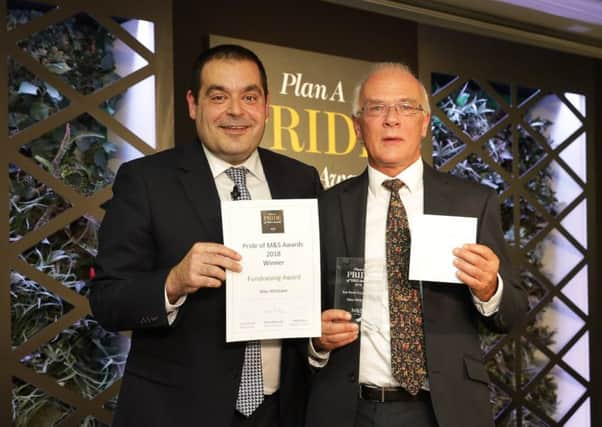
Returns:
point(259, 190)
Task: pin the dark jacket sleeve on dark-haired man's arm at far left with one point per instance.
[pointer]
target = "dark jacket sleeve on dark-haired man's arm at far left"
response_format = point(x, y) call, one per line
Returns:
point(128, 292)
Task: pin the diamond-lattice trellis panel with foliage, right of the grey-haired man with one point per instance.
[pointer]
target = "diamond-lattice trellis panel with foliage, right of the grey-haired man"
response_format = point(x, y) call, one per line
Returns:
point(504, 135)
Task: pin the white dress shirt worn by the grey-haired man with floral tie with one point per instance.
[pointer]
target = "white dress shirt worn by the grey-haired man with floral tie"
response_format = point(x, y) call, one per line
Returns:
point(375, 344)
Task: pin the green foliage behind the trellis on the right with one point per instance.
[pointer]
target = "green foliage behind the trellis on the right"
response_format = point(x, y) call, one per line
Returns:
point(474, 112)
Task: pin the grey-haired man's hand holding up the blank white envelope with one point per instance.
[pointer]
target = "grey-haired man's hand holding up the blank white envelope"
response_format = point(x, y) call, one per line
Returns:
point(478, 267)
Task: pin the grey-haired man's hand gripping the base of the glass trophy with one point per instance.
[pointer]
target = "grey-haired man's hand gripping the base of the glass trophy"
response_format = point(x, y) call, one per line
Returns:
point(337, 330)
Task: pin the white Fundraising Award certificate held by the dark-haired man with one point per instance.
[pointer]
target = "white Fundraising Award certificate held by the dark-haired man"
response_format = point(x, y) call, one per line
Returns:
point(277, 294)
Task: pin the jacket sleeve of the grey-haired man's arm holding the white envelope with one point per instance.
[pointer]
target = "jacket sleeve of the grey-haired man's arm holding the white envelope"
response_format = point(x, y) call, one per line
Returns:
point(513, 306)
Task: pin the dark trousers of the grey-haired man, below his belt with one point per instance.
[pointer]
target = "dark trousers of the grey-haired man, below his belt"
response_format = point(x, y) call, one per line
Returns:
point(415, 413)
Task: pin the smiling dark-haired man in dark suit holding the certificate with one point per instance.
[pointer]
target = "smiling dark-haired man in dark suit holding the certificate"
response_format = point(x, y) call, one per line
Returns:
point(161, 263)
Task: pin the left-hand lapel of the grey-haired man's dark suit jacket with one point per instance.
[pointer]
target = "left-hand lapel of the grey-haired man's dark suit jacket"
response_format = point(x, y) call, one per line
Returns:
point(353, 214)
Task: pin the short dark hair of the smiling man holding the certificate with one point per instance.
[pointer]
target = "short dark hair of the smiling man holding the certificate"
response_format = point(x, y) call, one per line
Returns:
point(225, 51)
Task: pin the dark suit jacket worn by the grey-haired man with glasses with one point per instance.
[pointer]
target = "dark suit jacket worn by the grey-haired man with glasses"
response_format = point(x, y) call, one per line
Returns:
point(458, 379)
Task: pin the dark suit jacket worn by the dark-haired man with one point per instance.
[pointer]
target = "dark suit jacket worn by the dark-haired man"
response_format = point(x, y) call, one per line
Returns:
point(184, 374)
